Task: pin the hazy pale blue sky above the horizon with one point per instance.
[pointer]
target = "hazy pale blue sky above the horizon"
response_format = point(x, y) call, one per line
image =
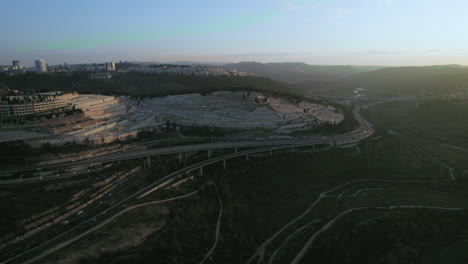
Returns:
point(365, 32)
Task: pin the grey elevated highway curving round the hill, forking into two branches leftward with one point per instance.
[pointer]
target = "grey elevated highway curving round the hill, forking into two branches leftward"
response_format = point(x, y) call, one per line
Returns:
point(255, 146)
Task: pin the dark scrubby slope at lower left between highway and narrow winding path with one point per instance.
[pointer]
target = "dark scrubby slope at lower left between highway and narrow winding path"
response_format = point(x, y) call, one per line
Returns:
point(184, 232)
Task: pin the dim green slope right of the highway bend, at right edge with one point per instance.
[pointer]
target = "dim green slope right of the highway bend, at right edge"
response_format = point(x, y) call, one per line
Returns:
point(439, 127)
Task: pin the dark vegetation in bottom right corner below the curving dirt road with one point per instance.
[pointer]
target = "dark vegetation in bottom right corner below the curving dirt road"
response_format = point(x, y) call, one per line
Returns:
point(399, 236)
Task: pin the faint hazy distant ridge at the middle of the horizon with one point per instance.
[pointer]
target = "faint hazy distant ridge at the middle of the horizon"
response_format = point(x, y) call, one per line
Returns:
point(297, 72)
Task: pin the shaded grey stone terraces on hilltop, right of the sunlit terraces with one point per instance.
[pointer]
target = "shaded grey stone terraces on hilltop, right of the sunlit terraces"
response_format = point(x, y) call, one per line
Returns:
point(232, 110)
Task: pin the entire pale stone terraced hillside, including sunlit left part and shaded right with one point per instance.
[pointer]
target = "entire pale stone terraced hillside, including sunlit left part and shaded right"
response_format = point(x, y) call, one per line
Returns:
point(122, 116)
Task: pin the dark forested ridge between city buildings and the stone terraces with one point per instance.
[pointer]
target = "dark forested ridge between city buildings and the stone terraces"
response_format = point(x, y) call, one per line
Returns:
point(143, 84)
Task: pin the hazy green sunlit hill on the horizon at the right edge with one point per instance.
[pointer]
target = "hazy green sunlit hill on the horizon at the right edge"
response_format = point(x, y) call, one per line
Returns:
point(429, 80)
